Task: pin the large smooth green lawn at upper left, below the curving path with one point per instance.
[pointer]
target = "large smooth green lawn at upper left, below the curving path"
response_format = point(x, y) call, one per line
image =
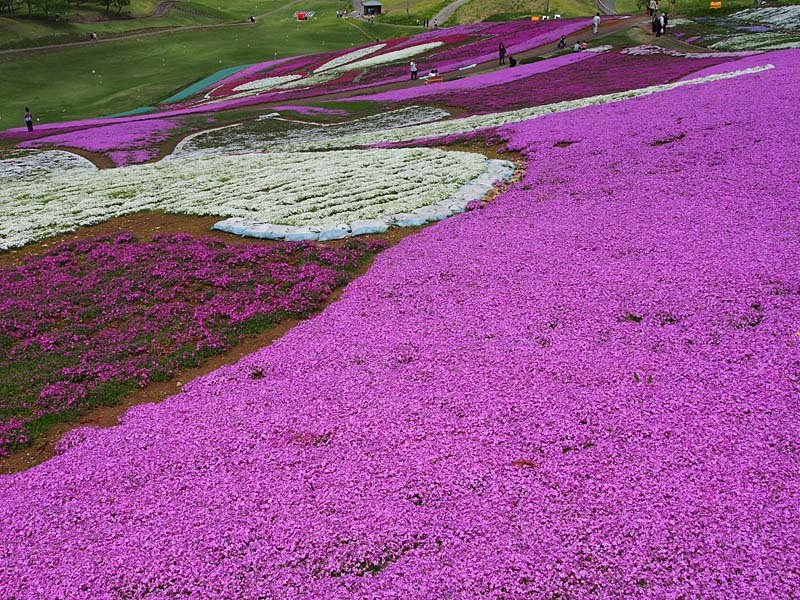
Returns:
point(60, 84)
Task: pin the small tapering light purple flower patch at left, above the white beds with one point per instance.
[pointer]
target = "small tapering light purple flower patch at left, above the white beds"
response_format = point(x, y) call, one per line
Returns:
point(125, 143)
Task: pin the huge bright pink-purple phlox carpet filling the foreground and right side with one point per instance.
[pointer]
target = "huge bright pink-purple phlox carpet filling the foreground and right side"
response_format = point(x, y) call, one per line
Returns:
point(587, 389)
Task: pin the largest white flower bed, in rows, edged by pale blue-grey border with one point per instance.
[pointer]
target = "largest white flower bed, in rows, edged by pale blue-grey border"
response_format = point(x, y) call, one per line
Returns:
point(302, 189)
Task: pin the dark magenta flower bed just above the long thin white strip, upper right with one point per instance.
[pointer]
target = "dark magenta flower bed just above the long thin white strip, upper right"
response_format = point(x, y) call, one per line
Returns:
point(604, 74)
